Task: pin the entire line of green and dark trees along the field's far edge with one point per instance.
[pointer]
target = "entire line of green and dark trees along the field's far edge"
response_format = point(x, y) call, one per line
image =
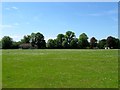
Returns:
point(62, 41)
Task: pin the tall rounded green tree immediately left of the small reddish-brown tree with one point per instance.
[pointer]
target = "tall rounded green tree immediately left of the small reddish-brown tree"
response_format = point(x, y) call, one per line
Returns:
point(83, 41)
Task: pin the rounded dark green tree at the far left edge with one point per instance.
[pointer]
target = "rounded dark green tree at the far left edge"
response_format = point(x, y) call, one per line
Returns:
point(7, 42)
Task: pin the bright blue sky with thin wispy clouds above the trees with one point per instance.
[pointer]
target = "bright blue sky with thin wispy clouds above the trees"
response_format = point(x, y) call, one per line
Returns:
point(98, 19)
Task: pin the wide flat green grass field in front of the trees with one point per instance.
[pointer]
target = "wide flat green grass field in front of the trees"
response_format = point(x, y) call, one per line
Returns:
point(60, 68)
